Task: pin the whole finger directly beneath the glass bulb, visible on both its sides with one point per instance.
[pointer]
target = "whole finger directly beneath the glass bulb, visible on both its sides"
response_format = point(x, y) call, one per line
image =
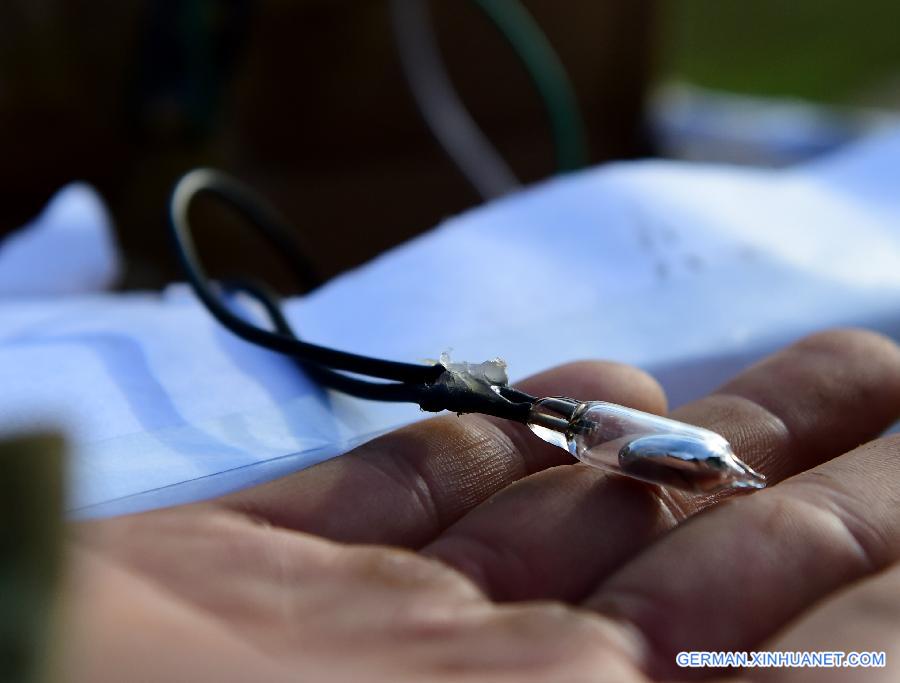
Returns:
point(557, 533)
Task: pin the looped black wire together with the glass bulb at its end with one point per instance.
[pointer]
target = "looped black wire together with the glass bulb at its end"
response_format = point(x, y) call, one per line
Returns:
point(653, 452)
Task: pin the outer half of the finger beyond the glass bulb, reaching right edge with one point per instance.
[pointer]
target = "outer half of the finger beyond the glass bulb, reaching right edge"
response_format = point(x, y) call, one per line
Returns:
point(815, 400)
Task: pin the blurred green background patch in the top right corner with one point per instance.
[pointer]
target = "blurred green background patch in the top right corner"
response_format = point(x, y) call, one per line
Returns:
point(827, 50)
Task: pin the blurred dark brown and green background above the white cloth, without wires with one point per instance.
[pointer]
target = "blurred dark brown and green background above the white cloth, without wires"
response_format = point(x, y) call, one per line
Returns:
point(305, 100)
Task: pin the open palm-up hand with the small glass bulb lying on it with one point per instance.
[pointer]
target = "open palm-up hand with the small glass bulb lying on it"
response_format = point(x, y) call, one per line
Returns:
point(463, 549)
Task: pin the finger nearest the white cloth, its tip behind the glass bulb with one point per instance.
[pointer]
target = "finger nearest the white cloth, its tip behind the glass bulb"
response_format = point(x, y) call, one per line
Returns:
point(407, 486)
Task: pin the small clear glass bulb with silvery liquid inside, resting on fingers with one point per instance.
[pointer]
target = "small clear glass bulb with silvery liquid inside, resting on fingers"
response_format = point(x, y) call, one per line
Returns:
point(641, 445)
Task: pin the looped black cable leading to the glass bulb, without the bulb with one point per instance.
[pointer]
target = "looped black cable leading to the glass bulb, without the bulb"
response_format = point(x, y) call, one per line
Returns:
point(433, 387)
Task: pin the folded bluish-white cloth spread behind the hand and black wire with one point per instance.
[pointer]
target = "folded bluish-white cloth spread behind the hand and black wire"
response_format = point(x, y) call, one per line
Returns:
point(691, 271)
